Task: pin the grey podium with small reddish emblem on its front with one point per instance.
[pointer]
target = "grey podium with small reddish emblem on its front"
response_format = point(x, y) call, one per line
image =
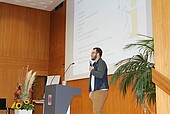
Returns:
point(58, 98)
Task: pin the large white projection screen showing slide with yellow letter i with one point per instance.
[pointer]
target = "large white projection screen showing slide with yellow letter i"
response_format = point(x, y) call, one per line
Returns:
point(108, 24)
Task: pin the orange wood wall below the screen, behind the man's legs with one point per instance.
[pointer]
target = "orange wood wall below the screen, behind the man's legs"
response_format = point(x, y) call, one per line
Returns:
point(115, 103)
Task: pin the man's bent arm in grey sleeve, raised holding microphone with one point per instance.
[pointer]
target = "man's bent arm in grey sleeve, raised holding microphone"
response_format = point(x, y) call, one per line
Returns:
point(100, 71)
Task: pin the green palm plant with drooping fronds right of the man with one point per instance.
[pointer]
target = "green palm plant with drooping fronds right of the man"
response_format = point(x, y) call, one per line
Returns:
point(136, 72)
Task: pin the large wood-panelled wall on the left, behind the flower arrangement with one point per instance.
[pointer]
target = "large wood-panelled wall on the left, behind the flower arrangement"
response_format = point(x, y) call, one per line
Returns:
point(24, 40)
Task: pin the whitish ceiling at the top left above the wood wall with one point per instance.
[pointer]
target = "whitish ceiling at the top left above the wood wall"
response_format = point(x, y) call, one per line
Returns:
point(47, 5)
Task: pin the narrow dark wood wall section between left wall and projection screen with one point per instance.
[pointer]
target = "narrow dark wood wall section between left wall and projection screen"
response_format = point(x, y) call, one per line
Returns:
point(57, 41)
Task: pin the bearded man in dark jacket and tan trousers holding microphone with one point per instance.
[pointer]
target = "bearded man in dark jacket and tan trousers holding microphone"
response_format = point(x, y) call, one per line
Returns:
point(98, 84)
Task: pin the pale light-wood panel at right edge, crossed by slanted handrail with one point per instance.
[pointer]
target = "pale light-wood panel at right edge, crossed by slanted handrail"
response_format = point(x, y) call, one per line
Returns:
point(161, 22)
